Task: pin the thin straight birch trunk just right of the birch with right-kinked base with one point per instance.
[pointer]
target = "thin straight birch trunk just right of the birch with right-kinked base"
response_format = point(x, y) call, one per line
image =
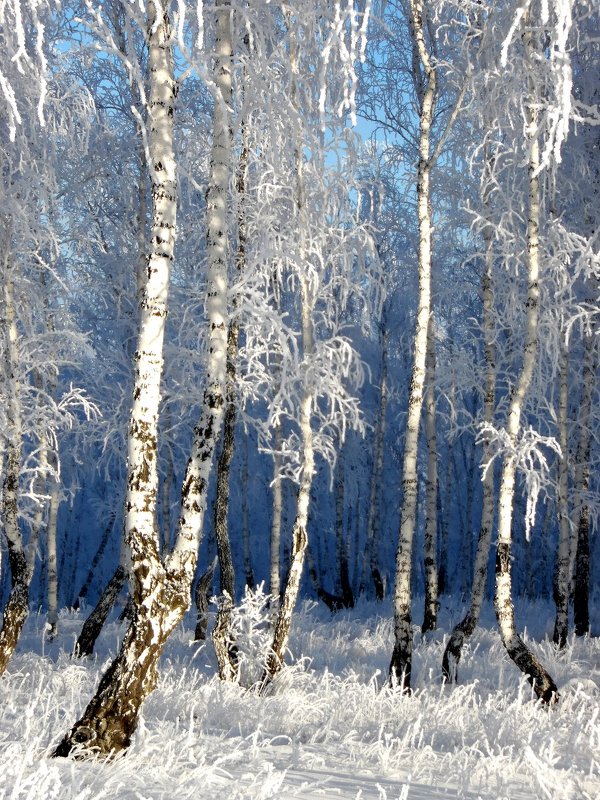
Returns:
point(561, 571)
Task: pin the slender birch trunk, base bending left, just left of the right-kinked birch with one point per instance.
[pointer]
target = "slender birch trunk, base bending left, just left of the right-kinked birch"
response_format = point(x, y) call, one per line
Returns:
point(464, 630)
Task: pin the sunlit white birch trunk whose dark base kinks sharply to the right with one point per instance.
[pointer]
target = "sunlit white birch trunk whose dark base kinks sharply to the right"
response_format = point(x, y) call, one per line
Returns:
point(543, 685)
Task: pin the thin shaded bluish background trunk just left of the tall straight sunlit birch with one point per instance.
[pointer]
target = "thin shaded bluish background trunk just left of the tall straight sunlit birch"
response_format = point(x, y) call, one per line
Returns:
point(374, 511)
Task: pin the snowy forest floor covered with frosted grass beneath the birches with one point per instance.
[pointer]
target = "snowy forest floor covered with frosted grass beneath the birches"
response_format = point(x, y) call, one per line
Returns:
point(330, 728)
